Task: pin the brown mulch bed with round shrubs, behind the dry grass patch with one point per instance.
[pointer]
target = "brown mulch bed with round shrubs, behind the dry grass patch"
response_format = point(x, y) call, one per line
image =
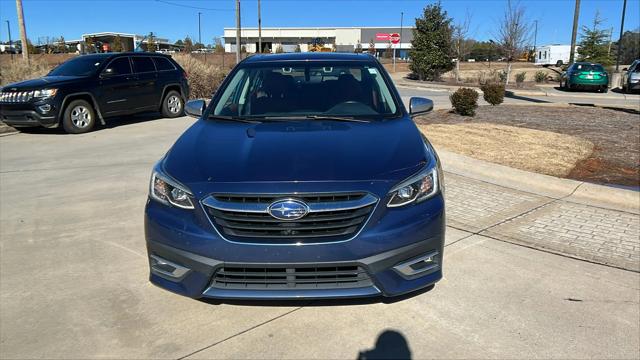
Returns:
point(614, 132)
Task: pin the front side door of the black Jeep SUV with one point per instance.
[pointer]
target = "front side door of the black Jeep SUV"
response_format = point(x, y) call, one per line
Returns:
point(117, 85)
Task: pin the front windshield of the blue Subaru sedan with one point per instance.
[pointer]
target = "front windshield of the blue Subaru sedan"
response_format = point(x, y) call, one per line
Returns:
point(307, 90)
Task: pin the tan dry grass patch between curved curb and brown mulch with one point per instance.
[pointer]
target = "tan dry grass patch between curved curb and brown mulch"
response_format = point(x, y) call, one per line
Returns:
point(526, 149)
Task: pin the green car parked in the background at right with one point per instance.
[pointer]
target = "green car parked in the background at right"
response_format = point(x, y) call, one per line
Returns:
point(585, 75)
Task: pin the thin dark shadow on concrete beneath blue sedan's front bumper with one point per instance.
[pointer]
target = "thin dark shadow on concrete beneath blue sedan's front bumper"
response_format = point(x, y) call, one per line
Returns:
point(319, 302)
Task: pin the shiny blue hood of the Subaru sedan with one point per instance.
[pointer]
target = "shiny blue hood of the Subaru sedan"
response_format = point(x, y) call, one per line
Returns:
point(312, 150)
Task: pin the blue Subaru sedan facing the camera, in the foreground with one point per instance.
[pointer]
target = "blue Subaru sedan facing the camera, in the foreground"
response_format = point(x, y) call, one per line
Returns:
point(303, 178)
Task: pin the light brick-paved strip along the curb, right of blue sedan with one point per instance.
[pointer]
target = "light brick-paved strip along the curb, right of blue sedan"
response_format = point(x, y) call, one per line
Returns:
point(586, 232)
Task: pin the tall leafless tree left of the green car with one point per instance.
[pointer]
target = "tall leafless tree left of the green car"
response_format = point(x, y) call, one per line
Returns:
point(514, 31)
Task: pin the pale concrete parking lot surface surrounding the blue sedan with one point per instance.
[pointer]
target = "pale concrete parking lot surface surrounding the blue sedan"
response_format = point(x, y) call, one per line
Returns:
point(73, 278)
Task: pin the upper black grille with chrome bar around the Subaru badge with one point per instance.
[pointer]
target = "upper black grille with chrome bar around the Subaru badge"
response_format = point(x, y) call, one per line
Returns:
point(333, 217)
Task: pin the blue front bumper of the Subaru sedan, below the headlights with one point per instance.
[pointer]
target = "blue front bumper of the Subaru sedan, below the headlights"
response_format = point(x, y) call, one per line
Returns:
point(385, 247)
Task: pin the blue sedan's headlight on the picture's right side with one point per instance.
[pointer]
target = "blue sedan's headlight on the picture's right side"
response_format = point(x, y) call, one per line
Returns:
point(415, 189)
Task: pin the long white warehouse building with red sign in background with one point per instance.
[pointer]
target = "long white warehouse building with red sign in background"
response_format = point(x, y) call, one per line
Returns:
point(342, 39)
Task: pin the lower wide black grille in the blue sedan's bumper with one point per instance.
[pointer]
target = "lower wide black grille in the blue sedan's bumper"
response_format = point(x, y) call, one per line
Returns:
point(290, 278)
